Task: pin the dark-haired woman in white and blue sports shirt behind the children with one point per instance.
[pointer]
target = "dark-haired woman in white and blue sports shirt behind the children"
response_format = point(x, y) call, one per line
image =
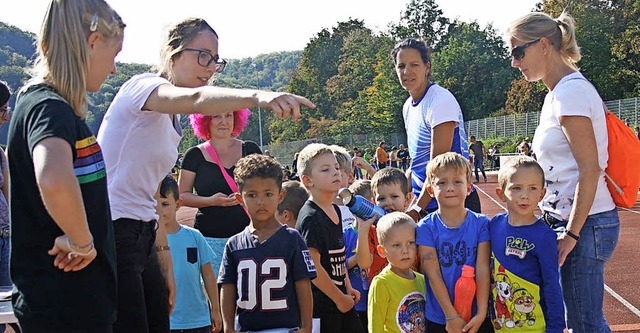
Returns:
point(433, 121)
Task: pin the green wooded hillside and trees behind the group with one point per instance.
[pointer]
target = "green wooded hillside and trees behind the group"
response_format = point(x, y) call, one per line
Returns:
point(347, 71)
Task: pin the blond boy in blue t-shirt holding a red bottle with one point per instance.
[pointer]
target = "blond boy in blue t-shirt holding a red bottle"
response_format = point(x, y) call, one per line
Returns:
point(449, 238)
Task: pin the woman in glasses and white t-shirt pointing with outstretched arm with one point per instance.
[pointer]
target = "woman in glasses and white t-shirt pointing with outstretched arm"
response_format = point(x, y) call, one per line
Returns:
point(139, 136)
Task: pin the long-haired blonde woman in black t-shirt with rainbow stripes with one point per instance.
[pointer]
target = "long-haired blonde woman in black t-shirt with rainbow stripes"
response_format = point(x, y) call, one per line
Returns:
point(63, 260)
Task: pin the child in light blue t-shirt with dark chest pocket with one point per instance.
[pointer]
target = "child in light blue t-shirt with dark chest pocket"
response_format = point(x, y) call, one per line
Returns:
point(191, 257)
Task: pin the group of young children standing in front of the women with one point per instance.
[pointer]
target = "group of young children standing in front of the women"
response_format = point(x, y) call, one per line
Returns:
point(306, 263)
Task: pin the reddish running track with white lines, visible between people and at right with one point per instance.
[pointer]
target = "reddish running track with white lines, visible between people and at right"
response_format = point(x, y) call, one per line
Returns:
point(622, 273)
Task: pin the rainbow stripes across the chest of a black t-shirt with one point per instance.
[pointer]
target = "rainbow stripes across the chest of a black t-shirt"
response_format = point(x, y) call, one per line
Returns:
point(89, 165)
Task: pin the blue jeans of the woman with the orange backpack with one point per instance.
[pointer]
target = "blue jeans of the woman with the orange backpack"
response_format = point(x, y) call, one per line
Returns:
point(583, 273)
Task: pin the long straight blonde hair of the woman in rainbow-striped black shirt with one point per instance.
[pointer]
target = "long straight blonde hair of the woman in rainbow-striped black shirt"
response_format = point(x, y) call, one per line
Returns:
point(63, 52)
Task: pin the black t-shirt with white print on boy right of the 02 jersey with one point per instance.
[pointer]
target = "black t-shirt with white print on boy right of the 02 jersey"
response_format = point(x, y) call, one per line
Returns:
point(326, 237)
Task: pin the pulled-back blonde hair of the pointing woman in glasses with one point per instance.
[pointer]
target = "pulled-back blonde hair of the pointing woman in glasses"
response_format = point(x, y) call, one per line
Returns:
point(176, 39)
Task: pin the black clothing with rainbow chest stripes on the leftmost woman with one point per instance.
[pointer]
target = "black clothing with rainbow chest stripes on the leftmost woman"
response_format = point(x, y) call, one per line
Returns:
point(46, 295)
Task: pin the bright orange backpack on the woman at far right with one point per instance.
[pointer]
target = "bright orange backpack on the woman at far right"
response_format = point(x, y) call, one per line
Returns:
point(623, 167)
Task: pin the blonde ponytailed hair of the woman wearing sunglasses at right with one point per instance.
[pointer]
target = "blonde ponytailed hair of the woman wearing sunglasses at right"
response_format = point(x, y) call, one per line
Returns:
point(560, 32)
